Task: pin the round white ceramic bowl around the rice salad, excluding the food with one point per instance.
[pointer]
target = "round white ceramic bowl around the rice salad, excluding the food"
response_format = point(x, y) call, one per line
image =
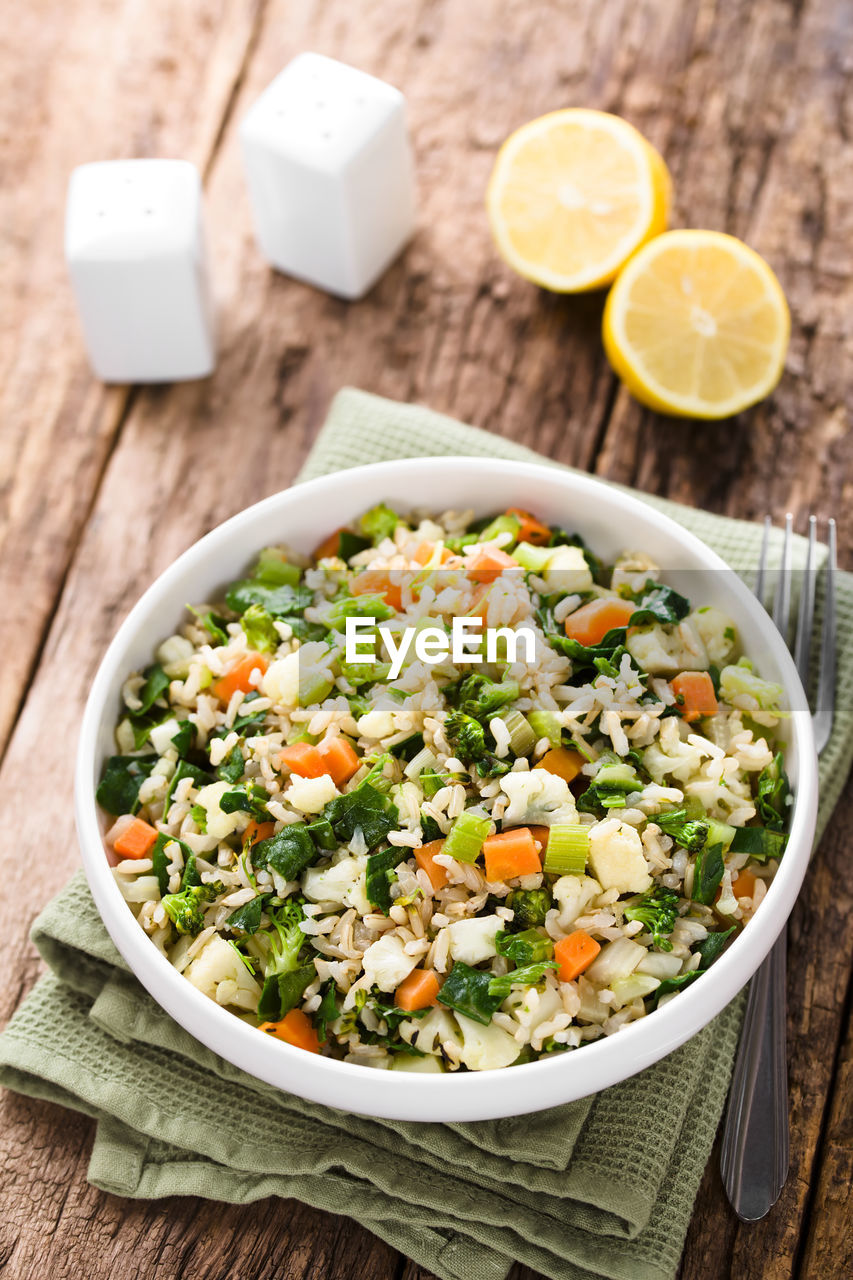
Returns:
point(303, 516)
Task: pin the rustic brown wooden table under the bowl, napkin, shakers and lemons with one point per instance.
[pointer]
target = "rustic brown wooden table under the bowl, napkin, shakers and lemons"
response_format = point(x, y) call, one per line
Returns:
point(751, 103)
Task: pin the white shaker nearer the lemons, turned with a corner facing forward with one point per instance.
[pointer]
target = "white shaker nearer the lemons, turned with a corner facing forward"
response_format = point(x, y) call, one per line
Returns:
point(330, 175)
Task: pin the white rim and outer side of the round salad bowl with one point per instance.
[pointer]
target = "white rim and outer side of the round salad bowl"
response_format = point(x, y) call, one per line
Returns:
point(464, 1096)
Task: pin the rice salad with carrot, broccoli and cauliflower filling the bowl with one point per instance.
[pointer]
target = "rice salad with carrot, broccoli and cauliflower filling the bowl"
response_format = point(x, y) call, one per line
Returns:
point(454, 866)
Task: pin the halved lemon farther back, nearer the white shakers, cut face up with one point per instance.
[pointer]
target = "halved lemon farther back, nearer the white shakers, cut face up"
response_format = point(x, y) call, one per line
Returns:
point(573, 195)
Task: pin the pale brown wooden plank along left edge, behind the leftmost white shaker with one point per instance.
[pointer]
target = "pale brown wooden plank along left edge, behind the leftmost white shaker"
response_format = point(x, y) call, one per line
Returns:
point(85, 81)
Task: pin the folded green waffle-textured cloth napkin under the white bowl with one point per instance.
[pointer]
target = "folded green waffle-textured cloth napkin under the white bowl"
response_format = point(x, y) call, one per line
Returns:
point(603, 1187)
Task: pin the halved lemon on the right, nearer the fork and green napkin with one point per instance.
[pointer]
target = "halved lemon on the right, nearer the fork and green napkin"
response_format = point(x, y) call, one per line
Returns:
point(697, 326)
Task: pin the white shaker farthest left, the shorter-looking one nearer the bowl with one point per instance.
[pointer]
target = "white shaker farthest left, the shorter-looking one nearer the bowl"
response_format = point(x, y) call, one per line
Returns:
point(136, 257)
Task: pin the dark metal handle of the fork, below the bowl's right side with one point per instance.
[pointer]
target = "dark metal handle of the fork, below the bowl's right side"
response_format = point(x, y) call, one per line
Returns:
point(755, 1154)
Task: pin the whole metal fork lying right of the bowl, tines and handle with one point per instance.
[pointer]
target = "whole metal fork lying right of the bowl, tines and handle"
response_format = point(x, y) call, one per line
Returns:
point(755, 1155)
